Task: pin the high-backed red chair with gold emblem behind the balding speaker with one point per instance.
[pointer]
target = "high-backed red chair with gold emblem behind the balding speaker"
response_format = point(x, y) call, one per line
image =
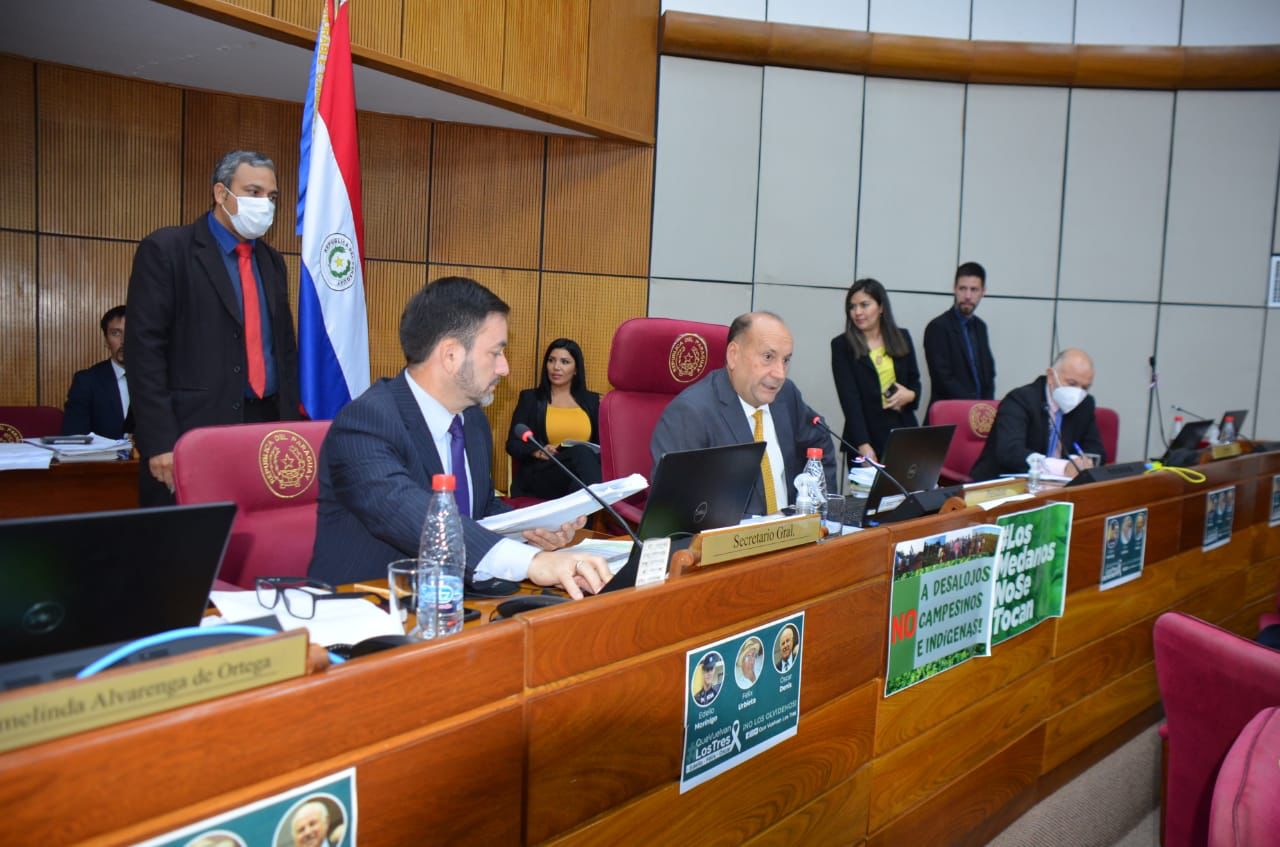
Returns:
point(651, 361)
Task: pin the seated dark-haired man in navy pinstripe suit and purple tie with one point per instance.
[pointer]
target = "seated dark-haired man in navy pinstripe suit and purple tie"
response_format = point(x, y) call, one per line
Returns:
point(383, 448)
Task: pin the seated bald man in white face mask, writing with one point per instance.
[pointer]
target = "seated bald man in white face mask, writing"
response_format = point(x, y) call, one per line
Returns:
point(1053, 416)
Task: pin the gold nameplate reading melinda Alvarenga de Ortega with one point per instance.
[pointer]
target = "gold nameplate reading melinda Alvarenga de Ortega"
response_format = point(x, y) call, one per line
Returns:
point(58, 709)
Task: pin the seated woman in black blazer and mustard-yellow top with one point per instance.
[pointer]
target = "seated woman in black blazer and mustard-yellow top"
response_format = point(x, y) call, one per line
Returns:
point(559, 410)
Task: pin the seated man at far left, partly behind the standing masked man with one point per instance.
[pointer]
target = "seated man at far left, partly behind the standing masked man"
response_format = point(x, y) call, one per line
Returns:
point(99, 399)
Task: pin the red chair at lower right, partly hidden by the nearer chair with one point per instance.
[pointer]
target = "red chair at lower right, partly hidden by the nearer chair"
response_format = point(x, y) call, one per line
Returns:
point(1213, 684)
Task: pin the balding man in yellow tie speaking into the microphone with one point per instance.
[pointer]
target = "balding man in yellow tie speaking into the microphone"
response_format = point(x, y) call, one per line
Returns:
point(748, 400)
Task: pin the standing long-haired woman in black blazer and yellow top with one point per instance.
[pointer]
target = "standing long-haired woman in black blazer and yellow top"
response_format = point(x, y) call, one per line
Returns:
point(874, 364)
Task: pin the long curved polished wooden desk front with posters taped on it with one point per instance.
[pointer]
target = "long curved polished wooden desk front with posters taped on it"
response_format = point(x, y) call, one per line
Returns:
point(564, 726)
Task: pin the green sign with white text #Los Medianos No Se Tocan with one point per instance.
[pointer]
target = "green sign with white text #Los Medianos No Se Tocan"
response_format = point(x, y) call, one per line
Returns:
point(1031, 570)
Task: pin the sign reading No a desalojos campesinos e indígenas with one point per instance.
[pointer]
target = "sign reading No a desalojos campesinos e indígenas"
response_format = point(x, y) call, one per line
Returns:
point(940, 605)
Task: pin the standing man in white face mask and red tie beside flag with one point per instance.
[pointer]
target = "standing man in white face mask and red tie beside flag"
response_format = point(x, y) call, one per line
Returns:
point(211, 333)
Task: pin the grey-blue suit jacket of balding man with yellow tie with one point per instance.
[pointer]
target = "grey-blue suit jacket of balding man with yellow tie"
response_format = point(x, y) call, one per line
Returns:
point(708, 414)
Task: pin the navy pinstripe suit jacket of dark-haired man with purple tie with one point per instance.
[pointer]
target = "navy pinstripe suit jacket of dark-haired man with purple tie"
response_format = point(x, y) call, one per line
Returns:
point(376, 480)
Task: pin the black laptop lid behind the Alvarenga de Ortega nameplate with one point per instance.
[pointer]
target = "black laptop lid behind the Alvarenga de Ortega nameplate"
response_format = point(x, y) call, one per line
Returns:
point(85, 580)
